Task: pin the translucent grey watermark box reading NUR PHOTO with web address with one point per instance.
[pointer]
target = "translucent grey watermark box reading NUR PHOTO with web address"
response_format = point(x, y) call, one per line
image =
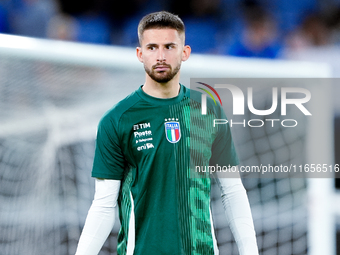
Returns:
point(279, 127)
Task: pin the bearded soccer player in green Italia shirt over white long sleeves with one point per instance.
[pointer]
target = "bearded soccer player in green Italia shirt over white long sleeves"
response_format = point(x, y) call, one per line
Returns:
point(146, 151)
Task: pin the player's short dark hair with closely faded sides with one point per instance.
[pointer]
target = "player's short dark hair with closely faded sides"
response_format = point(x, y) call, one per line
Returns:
point(160, 19)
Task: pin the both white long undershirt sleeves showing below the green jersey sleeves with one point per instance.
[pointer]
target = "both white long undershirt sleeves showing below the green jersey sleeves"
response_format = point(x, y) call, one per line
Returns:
point(101, 216)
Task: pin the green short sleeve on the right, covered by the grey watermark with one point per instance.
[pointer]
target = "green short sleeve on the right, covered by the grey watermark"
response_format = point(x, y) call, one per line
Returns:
point(223, 149)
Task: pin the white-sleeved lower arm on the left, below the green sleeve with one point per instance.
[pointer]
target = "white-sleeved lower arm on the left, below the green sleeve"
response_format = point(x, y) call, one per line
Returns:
point(100, 218)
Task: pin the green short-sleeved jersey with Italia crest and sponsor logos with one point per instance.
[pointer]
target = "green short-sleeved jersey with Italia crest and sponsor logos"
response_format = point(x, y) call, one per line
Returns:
point(153, 146)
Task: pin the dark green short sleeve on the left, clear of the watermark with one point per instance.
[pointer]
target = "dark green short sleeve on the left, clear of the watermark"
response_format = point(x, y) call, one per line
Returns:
point(109, 161)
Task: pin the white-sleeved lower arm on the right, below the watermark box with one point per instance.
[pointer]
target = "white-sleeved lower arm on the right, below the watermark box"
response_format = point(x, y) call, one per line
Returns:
point(237, 210)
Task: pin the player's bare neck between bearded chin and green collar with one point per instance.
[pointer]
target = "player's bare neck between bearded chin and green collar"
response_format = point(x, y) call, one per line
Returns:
point(162, 90)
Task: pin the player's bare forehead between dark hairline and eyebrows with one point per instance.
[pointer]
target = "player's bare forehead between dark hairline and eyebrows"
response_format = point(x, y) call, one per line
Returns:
point(161, 36)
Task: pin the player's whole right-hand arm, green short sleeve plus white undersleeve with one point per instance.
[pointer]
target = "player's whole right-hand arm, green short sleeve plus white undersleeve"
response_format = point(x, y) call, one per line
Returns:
point(234, 196)
